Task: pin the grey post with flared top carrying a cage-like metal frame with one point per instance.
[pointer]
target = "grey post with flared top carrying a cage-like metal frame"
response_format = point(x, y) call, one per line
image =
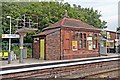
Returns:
point(26, 28)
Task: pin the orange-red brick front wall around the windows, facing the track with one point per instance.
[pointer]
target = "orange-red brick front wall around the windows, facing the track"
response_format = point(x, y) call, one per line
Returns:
point(80, 53)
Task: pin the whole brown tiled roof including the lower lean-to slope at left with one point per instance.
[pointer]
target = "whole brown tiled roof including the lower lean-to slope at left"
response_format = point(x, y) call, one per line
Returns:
point(66, 22)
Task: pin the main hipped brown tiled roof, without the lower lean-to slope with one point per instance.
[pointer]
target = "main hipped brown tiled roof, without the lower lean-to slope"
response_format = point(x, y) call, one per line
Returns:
point(71, 22)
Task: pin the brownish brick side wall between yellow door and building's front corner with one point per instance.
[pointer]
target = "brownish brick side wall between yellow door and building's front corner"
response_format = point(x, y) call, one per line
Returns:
point(53, 46)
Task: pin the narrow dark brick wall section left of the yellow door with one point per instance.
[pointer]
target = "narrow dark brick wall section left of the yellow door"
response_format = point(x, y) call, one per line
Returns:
point(36, 52)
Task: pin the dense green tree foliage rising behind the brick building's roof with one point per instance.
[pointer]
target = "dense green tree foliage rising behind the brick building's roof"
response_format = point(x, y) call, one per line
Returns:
point(48, 13)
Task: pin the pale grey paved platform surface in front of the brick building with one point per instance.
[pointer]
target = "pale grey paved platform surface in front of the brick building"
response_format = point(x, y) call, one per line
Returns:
point(30, 61)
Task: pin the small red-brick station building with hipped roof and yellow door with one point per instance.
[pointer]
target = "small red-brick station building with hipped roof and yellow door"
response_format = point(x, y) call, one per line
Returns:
point(66, 39)
